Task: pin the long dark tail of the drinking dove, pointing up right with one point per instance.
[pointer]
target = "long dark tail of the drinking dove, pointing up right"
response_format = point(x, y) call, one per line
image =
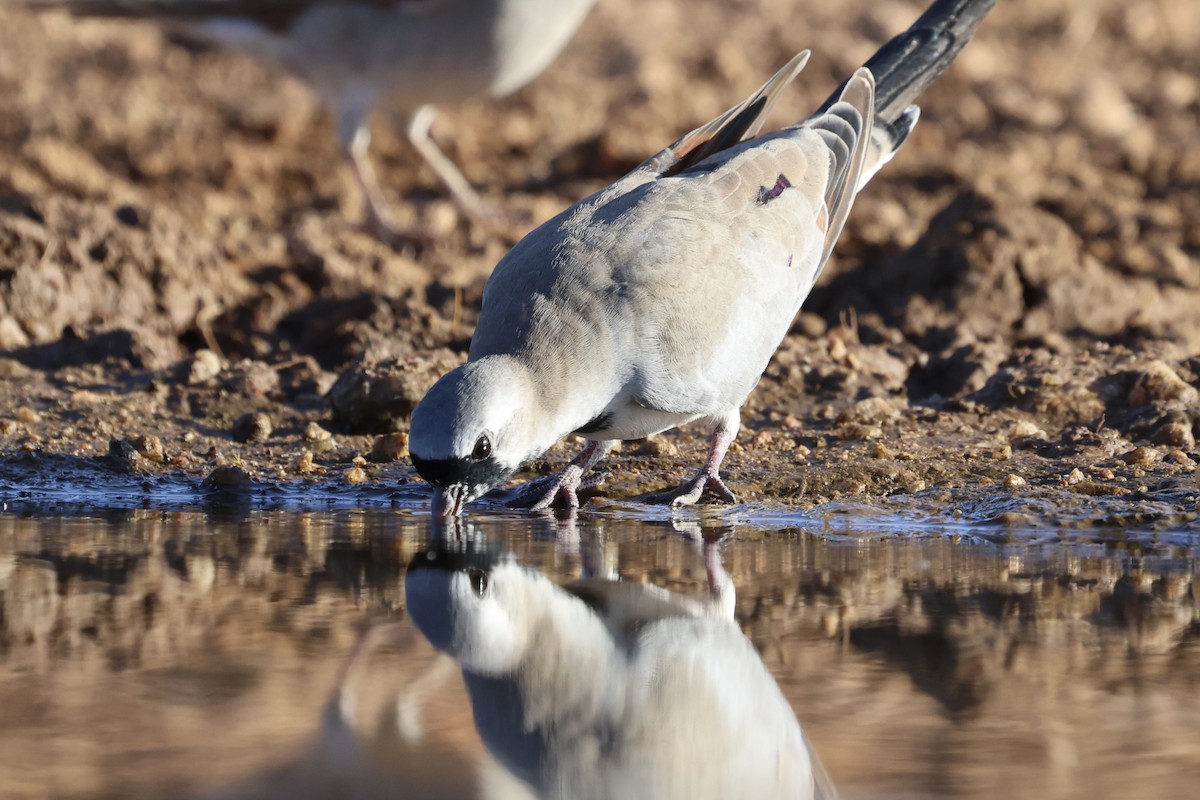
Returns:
point(909, 64)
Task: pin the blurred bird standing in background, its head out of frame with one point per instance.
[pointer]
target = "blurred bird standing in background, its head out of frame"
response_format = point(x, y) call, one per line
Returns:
point(416, 55)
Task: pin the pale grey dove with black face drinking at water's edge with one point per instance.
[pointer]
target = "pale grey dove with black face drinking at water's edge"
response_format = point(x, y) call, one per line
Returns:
point(661, 299)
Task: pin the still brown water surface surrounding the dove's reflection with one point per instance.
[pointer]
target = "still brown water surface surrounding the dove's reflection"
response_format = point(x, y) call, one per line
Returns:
point(268, 653)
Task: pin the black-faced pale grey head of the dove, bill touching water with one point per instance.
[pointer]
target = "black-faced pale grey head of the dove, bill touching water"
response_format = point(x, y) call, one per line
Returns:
point(471, 431)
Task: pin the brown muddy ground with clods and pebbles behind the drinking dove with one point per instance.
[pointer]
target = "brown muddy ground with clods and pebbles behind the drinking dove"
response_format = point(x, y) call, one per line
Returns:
point(1011, 323)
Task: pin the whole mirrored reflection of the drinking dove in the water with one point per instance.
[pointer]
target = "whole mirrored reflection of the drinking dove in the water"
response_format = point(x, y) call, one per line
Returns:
point(609, 689)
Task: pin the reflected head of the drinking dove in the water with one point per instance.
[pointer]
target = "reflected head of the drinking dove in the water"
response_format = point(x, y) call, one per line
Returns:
point(476, 606)
